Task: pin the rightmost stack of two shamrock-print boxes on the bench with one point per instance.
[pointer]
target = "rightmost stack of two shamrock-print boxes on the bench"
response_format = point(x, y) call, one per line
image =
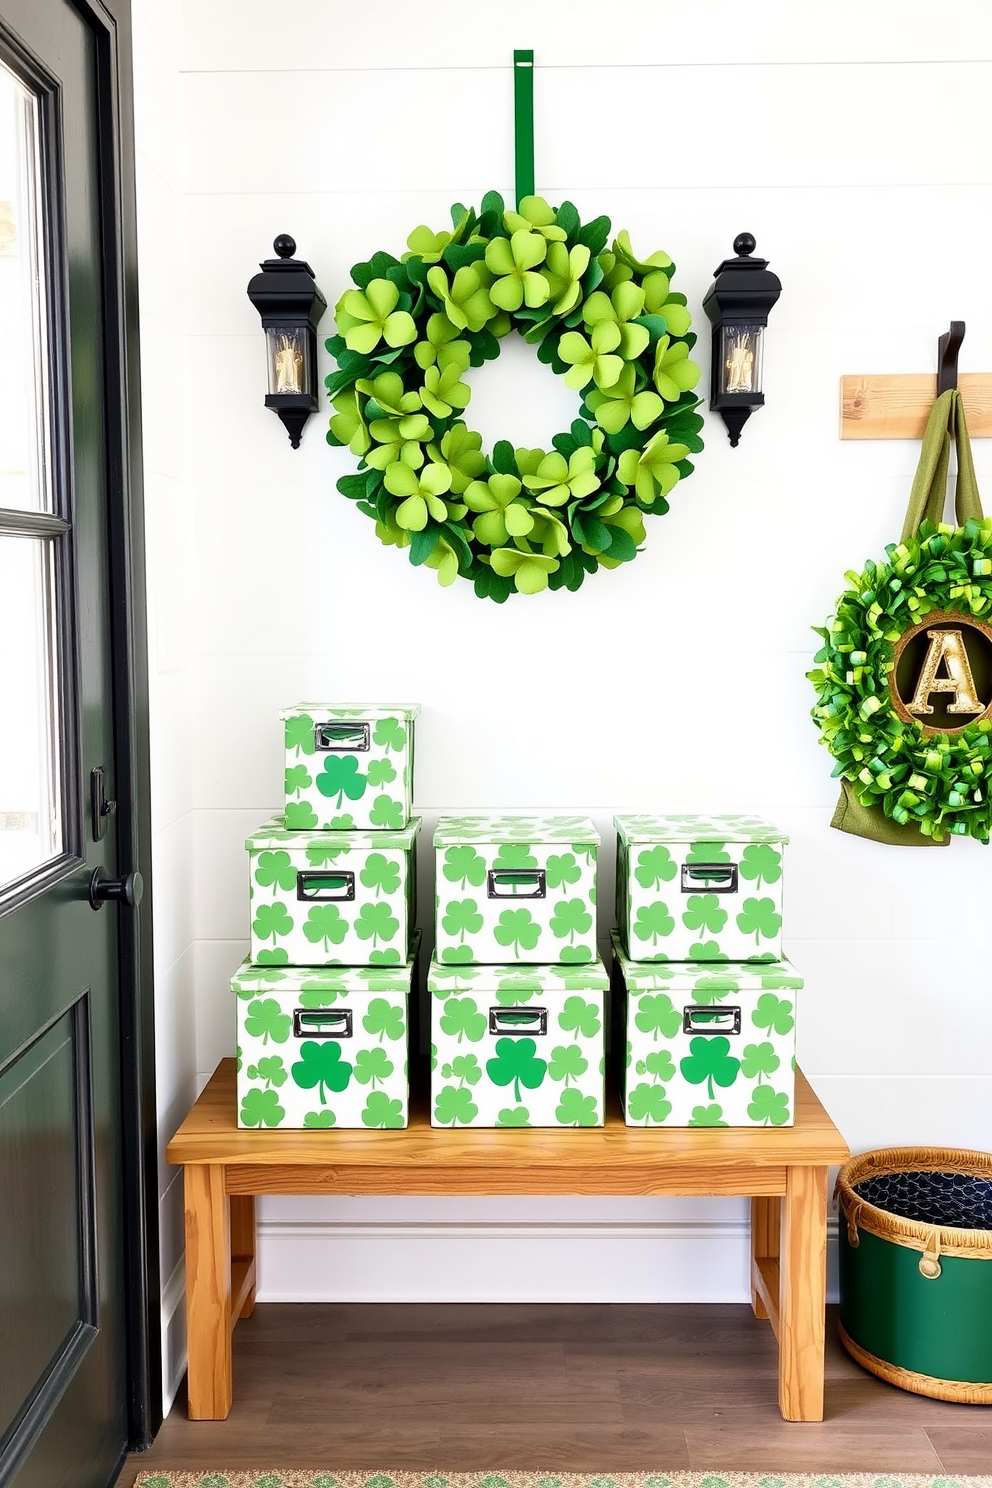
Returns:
point(704, 1002)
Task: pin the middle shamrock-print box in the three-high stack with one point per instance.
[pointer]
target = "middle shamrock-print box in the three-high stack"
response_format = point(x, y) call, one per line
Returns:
point(332, 898)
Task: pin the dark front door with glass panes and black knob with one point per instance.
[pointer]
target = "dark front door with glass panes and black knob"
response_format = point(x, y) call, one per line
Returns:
point(65, 791)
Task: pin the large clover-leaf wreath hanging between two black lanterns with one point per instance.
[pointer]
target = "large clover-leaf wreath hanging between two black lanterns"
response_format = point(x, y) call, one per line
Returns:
point(517, 520)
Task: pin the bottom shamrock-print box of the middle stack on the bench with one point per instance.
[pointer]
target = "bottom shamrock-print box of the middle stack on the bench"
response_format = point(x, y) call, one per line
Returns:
point(518, 1045)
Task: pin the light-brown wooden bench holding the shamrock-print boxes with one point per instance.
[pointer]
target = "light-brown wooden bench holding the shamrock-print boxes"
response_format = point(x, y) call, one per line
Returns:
point(782, 1169)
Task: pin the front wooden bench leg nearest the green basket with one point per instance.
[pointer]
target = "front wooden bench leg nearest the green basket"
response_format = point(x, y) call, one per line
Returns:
point(804, 1295)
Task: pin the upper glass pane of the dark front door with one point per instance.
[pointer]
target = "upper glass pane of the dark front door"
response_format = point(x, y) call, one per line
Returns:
point(25, 435)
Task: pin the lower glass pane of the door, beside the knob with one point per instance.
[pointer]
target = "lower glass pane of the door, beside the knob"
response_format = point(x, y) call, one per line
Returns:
point(30, 797)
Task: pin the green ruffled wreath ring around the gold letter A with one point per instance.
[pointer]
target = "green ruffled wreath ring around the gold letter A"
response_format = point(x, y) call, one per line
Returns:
point(939, 782)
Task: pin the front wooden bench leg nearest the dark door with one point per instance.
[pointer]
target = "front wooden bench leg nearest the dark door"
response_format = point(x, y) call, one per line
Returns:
point(207, 1292)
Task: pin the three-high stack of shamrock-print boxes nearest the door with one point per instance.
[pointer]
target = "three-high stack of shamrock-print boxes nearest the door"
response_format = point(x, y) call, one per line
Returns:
point(325, 996)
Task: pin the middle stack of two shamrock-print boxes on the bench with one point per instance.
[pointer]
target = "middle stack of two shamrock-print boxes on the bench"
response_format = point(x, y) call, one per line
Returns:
point(517, 987)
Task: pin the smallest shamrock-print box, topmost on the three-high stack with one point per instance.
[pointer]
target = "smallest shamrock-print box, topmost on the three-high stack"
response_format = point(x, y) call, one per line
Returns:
point(349, 767)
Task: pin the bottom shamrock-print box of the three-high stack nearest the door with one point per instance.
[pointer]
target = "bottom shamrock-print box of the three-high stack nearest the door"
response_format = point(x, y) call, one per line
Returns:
point(323, 1047)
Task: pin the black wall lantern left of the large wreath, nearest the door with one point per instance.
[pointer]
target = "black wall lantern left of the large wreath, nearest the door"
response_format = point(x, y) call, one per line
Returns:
point(291, 306)
